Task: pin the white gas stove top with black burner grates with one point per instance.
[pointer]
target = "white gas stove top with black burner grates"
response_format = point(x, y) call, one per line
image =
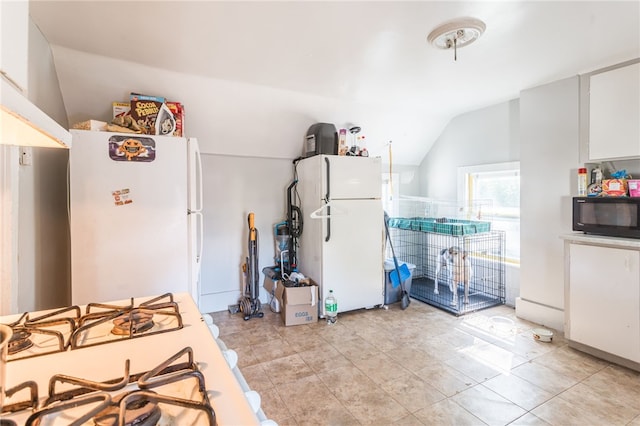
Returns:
point(145, 362)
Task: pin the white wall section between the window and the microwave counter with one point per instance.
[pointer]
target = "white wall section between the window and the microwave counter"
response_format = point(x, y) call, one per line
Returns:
point(549, 120)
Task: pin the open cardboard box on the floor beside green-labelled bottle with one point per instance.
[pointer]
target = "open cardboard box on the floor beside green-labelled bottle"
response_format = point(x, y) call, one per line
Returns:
point(299, 305)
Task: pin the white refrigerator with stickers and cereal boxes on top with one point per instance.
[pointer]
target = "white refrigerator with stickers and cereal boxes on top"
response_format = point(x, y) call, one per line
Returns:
point(135, 216)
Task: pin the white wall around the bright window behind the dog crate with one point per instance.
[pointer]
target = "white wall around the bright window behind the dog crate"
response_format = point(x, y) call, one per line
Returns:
point(486, 136)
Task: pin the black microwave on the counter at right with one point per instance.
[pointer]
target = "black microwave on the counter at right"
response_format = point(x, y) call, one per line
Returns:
point(610, 216)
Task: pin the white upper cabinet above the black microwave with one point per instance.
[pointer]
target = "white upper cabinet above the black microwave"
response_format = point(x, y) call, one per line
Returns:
point(613, 113)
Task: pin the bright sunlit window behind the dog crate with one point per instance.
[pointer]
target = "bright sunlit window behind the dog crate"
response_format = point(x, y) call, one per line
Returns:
point(496, 186)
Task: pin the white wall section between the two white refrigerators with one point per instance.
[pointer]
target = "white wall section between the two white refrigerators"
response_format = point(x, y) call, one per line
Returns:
point(233, 187)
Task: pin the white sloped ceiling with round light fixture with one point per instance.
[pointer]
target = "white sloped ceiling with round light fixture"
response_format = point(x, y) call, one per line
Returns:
point(255, 75)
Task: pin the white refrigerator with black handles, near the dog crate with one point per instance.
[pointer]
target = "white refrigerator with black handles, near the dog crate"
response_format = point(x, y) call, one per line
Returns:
point(342, 242)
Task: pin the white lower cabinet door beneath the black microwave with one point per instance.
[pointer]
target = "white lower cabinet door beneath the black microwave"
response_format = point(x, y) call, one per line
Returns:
point(604, 299)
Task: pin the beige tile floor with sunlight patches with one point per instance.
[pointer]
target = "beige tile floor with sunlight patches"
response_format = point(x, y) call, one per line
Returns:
point(424, 366)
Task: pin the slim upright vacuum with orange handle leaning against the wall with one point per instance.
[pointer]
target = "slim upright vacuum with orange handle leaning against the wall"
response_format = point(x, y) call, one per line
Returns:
point(249, 304)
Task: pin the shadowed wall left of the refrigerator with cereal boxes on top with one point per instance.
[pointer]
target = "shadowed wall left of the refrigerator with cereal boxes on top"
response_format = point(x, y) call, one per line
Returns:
point(42, 242)
